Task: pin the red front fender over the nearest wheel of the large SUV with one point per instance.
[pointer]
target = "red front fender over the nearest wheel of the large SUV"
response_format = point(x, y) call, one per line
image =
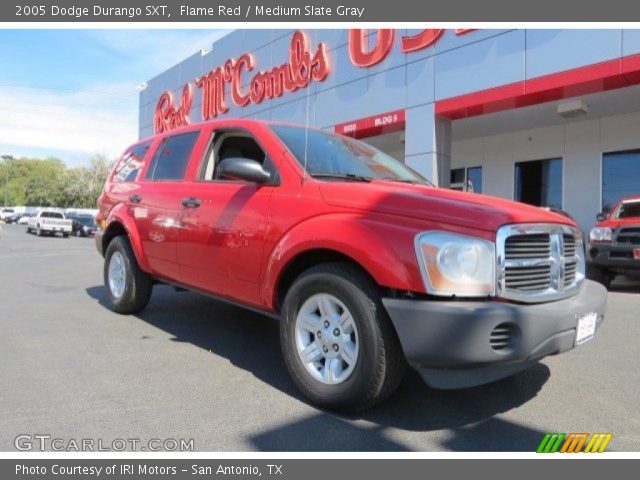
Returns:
point(383, 249)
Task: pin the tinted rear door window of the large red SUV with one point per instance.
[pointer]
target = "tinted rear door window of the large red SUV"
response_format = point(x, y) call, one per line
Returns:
point(171, 159)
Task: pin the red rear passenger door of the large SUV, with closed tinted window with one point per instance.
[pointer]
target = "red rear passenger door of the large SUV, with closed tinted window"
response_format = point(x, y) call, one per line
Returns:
point(156, 203)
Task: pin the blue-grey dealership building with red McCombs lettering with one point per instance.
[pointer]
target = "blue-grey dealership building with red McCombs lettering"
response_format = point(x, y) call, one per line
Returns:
point(547, 117)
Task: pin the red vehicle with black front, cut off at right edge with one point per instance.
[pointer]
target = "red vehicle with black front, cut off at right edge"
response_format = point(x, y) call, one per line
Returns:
point(614, 243)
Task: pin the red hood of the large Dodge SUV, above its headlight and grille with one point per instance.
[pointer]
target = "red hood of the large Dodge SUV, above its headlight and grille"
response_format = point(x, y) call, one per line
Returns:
point(432, 204)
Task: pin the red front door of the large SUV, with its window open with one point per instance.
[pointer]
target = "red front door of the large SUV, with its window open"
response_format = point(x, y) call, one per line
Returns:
point(223, 222)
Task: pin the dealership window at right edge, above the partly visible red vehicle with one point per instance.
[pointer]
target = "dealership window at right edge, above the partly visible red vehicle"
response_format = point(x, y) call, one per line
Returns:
point(620, 177)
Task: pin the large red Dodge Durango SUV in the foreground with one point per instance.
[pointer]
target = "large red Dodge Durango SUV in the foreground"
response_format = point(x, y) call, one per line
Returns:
point(367, 265)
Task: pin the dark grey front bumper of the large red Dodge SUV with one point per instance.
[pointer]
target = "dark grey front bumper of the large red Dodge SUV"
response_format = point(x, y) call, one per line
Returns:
point(449, 342)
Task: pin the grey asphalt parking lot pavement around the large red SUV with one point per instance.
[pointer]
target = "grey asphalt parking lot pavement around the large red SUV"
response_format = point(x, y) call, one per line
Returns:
point(191, 367)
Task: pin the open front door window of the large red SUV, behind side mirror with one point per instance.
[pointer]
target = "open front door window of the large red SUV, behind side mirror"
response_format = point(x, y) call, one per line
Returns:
point(229, 145)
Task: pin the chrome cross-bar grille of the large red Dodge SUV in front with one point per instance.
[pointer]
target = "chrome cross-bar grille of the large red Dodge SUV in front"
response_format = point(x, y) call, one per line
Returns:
point(539, 262)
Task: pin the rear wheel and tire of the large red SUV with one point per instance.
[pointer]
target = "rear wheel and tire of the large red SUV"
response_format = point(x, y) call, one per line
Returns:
point(128, 288)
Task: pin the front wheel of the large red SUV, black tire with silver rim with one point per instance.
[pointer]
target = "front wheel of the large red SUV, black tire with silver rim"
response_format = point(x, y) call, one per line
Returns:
point(337, 340)
